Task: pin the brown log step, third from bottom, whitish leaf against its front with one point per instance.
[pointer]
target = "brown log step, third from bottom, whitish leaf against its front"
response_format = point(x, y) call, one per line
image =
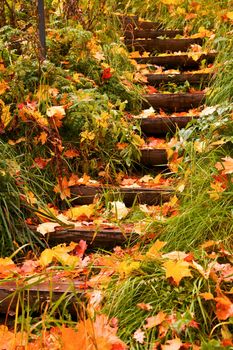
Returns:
point(151, 196)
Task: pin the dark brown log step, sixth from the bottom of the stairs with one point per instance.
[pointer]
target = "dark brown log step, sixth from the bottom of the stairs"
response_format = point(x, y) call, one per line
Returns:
point(173, 102)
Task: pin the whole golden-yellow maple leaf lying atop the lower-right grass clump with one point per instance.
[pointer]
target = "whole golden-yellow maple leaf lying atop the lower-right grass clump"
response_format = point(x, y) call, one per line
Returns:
point(177, 270)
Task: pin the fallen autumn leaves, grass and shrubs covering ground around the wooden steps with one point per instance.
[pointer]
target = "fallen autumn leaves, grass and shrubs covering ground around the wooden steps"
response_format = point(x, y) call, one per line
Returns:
point(70, 121)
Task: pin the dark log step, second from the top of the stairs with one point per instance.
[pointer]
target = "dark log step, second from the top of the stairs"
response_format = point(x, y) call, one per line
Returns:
point(151, 34)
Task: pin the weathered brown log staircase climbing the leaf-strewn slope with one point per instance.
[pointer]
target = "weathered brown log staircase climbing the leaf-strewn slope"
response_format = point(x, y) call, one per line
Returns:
point(172, 111)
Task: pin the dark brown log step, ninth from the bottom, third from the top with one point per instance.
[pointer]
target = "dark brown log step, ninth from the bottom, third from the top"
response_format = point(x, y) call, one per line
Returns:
point(162, 45)
